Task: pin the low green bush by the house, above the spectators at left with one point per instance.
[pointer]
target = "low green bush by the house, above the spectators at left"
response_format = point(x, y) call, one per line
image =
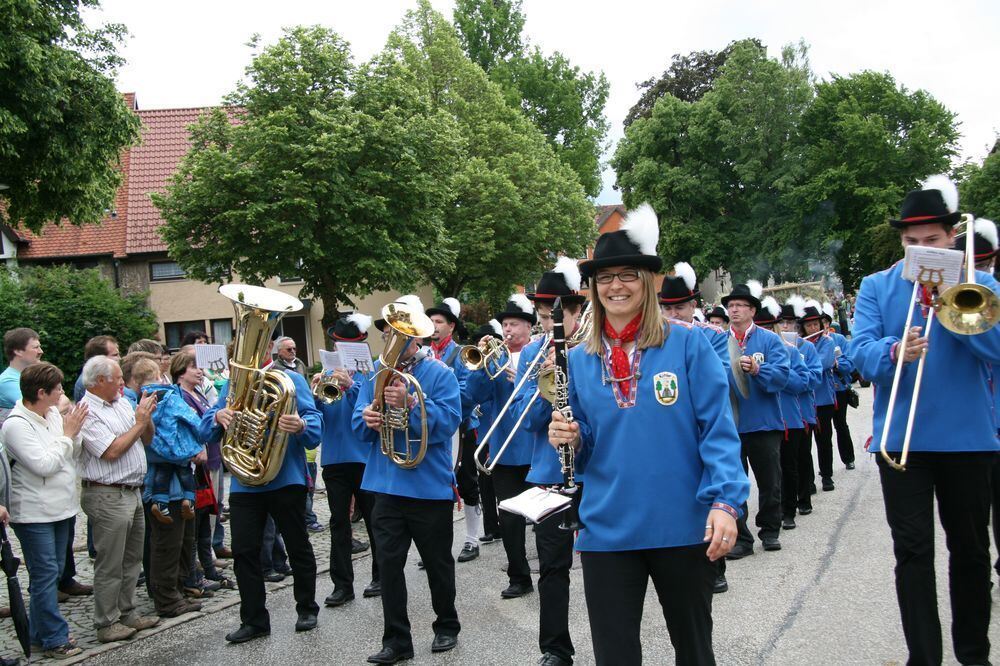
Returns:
point(68, 307)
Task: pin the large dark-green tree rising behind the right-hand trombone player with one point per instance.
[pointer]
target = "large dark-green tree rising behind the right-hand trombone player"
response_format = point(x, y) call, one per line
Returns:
point(865, 141)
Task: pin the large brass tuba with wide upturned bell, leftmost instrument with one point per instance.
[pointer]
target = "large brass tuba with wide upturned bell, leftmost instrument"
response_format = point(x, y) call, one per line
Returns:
point(252, 447)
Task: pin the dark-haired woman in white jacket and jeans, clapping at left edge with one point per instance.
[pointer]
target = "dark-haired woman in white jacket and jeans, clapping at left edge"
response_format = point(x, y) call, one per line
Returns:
point(43, 449)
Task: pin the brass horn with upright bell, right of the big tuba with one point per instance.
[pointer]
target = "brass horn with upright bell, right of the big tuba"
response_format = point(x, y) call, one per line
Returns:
point(405, 322)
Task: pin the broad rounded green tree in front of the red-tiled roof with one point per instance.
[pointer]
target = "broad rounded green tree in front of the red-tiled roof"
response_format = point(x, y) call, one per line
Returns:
point(337, 173)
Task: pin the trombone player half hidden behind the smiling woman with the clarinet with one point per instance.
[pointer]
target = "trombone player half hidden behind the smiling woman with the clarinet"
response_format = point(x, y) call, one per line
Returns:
point(555, 545)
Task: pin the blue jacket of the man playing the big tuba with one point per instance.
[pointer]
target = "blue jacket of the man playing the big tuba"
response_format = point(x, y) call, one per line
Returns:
point(293, 468)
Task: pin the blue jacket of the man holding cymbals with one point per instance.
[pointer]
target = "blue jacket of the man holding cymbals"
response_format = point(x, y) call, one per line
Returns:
point(762, 410)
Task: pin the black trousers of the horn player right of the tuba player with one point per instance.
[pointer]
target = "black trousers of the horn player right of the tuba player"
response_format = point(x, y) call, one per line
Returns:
point(399, 521)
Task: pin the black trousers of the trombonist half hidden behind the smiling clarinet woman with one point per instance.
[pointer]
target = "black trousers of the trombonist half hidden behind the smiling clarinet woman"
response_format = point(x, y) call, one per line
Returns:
point(555, 559)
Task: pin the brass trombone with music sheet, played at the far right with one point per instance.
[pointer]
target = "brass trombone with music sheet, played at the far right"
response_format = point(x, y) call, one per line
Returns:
point(966, 308)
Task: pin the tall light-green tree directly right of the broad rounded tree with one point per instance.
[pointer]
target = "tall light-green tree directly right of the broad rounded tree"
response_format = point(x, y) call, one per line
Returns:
point(513, 203)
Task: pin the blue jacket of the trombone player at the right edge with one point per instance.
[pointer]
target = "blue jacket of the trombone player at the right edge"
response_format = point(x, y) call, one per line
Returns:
point(955, 412)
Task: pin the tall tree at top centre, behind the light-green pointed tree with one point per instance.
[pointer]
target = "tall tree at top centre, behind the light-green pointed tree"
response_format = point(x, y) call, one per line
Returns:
point(564, 102)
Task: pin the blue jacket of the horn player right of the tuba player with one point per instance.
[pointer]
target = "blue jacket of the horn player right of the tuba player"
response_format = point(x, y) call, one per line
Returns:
point(433, 478)
